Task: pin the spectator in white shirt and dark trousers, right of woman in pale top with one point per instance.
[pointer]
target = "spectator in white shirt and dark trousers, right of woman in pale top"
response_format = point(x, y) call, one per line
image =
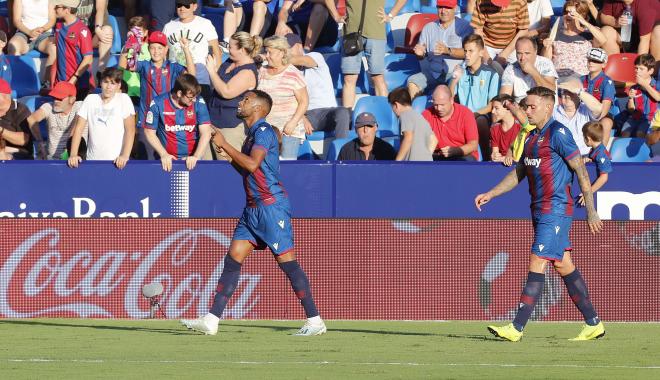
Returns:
point(322, 113)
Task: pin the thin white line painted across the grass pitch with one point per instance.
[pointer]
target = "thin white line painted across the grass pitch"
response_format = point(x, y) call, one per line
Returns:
point(408, 364)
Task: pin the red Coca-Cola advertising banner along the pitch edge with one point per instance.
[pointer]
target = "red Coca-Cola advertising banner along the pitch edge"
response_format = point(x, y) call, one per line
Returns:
point(359, 269)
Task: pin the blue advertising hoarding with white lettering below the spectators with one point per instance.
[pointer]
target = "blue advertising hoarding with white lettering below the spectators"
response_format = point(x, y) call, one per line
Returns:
point(316, 190)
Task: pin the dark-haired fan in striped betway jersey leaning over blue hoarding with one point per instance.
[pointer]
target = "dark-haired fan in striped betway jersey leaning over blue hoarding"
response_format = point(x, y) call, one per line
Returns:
point(178, 125)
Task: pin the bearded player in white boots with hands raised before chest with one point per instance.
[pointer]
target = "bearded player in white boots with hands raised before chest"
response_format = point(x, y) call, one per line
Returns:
point(266, 219)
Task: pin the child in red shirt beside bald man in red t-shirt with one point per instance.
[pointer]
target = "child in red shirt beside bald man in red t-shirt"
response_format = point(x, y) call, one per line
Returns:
point(505, 128)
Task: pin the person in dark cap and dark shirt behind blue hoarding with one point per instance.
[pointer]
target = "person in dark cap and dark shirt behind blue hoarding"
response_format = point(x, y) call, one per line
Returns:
point(366, 146)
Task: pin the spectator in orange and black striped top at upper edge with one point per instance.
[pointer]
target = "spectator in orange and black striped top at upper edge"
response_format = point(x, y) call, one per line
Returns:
point(500, 23)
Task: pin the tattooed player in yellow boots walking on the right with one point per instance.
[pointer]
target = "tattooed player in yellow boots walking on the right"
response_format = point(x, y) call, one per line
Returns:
point(549, 161)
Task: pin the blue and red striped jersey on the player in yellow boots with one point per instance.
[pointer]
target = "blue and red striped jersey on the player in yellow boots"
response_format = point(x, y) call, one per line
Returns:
point(545, 157)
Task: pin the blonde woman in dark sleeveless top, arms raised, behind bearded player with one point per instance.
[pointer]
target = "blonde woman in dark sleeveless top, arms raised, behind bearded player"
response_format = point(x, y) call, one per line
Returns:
point(236, 76)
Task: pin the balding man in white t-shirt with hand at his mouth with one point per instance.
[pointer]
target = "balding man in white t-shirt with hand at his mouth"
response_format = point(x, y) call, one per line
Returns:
point(530, 70)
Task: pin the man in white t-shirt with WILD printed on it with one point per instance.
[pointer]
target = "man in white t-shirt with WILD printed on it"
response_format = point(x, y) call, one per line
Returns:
point(202, 40)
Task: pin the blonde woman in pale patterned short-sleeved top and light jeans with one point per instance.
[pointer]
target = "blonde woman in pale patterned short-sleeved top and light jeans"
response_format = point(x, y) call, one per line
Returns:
point(286, 86)
